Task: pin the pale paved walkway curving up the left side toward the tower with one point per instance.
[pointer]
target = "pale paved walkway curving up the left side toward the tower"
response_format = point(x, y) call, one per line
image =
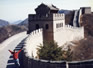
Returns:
point(14, 42)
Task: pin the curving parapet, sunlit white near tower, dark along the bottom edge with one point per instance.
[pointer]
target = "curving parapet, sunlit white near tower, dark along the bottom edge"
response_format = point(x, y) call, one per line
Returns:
point(31, 43)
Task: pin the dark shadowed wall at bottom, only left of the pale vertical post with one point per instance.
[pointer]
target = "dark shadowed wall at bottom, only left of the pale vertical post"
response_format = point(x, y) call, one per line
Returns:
point(37, 63)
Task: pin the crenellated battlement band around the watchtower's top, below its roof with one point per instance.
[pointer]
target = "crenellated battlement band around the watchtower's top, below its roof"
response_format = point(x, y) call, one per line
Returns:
point(54, 16)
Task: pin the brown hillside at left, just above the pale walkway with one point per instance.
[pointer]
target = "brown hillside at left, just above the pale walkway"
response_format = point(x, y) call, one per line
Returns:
point(7, 31)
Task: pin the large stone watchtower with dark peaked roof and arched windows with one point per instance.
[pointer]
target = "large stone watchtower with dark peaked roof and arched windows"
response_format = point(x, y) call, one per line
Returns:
point(48, 18)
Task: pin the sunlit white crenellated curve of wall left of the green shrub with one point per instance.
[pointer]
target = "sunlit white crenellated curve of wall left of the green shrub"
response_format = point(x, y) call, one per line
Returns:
point(34, 39)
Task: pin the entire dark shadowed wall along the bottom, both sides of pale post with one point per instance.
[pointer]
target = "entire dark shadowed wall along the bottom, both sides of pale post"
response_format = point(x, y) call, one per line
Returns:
point(38, 63)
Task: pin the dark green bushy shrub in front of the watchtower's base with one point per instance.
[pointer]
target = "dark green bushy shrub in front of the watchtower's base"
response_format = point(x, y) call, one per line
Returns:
point(51, 51)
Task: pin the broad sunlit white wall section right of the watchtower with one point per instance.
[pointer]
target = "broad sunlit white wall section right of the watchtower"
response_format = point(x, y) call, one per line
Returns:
point(68, 33)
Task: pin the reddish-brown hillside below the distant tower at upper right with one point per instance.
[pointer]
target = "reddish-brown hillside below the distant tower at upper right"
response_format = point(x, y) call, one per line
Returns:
point(87, 22)
